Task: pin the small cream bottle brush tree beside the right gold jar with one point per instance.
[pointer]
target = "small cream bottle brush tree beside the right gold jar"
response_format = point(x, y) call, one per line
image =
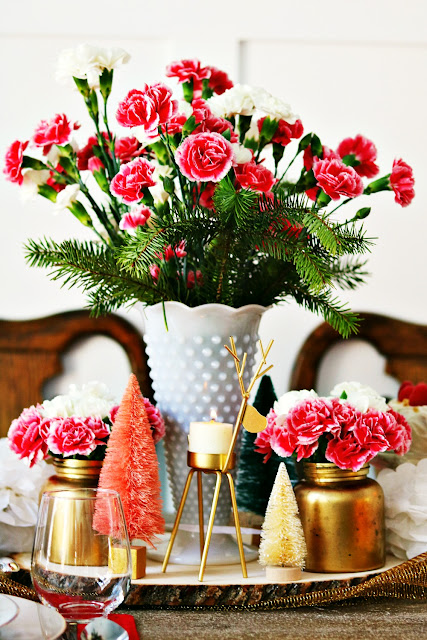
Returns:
point(282, 549)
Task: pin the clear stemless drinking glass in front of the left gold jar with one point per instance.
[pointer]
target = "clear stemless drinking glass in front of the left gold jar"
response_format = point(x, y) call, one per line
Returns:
point(81, 563)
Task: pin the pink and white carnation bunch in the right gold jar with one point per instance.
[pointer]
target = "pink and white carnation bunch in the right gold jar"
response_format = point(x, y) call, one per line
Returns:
point(348, 428)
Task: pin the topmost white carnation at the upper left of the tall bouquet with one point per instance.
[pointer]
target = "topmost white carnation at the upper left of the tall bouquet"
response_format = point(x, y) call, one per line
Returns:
point(88, 61)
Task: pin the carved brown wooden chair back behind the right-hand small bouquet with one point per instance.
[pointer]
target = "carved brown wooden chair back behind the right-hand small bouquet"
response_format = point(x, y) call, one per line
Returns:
point(402, 344)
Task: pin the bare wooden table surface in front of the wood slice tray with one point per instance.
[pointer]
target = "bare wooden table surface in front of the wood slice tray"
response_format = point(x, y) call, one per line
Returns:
point(389, 618)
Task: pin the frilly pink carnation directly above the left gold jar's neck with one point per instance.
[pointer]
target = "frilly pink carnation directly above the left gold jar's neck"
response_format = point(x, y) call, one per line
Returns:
point(74, 436)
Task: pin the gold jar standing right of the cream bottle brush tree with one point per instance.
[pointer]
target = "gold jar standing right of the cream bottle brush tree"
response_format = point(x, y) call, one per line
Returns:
point(342, 514)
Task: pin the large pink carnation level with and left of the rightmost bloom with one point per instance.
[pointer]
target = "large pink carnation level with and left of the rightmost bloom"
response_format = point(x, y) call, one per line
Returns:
point(336, 179)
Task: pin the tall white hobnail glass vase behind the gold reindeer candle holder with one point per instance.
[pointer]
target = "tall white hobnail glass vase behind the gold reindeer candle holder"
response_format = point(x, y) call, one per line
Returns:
point(193, 375)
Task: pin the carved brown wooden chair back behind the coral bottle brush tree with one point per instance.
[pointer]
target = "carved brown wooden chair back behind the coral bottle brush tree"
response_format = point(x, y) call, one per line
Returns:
point(31, 350)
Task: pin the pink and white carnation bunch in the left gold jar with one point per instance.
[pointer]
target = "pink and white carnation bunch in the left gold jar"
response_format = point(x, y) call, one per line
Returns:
point(76, 425)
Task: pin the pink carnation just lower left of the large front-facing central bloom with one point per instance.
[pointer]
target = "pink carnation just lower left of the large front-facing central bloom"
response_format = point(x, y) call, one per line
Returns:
point(132, 179)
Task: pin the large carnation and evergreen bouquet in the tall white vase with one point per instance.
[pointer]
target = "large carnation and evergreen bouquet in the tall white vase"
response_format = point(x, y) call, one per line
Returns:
point(193, 200)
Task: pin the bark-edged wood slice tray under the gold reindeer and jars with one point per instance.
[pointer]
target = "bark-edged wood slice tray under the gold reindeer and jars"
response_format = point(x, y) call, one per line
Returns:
point(224, 585)
